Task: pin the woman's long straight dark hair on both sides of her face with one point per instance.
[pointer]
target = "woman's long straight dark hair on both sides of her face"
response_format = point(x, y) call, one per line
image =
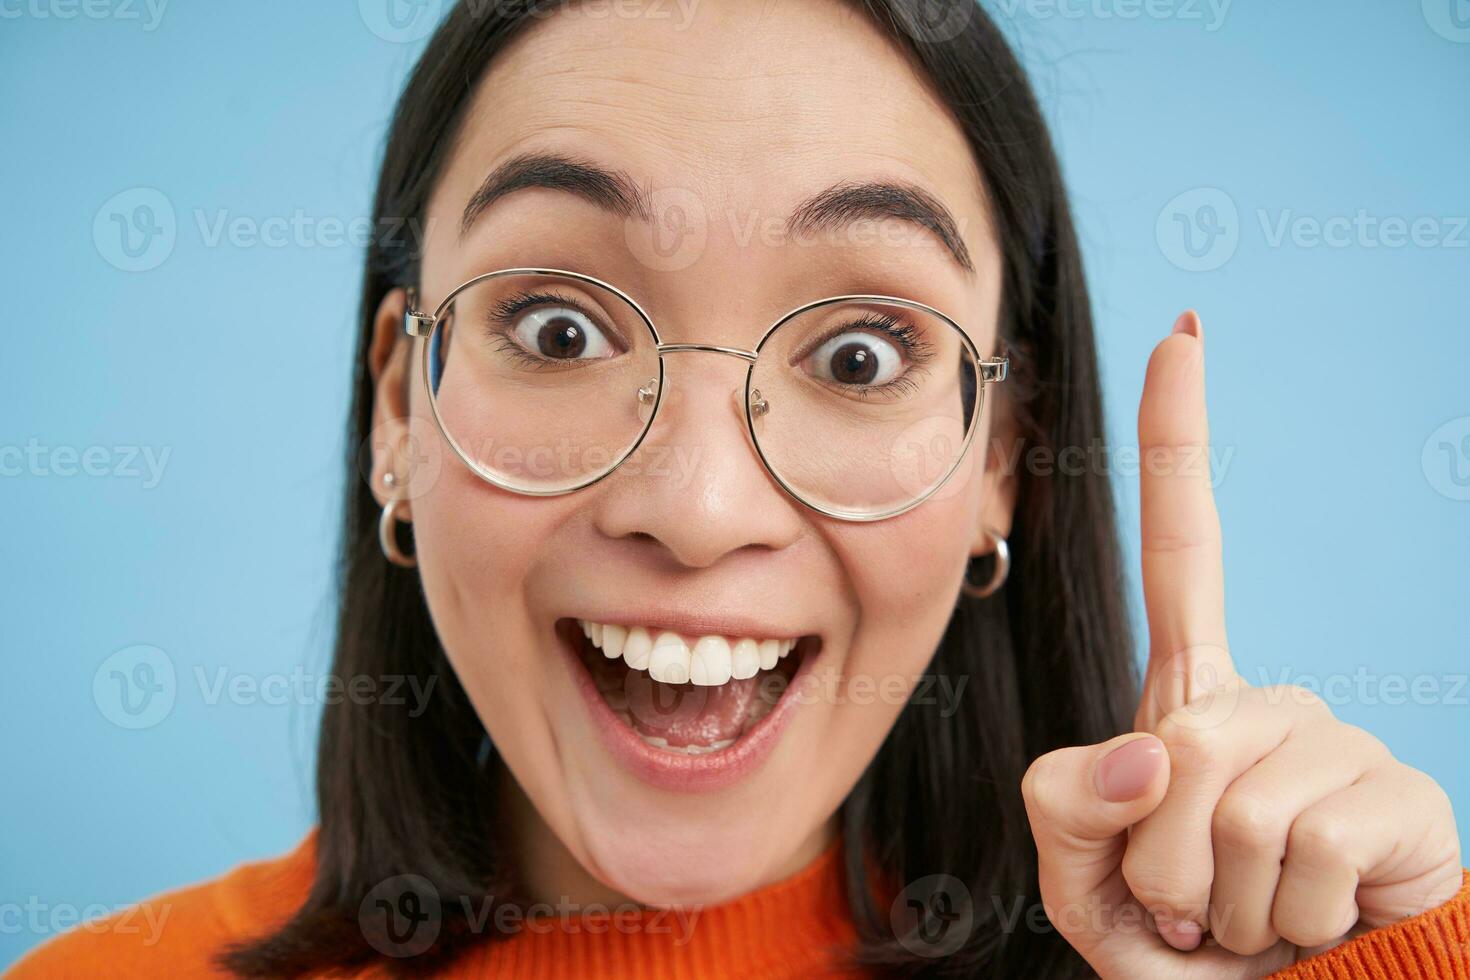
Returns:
point(1049, 659)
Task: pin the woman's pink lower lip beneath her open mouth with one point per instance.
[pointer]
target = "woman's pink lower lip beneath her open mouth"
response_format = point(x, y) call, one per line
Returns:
point(674, 771)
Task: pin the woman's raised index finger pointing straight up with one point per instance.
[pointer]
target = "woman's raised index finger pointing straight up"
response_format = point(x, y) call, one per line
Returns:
point(1184, 577)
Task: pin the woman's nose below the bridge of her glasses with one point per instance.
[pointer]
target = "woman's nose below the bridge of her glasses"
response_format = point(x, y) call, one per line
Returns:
point(696, 486)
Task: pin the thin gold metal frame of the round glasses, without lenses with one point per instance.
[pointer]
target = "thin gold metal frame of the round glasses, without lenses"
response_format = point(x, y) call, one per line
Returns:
point(421, 325)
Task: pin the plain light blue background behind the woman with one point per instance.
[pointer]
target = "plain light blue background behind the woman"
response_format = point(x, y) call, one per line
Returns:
point(1331, 372)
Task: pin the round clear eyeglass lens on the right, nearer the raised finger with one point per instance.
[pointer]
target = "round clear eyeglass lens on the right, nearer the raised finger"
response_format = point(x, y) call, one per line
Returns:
point(864, 408)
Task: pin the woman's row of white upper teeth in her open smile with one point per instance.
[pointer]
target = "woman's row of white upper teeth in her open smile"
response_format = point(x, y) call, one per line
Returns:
point(678, 659)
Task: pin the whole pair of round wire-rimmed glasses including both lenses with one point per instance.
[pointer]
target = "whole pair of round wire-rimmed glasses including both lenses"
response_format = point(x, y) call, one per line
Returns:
point(546, 381)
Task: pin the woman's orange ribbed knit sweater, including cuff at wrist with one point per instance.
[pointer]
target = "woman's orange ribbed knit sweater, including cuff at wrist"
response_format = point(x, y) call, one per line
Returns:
point(789, 929)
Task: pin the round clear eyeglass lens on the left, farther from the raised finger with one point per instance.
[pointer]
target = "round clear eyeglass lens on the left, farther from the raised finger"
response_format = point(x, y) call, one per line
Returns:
point(543, 383)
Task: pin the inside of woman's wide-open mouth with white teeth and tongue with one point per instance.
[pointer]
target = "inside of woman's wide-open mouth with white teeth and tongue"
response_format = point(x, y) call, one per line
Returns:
point(687, 696)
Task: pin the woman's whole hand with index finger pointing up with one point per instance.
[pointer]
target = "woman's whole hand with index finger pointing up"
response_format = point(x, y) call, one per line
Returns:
point(1249, 813)
